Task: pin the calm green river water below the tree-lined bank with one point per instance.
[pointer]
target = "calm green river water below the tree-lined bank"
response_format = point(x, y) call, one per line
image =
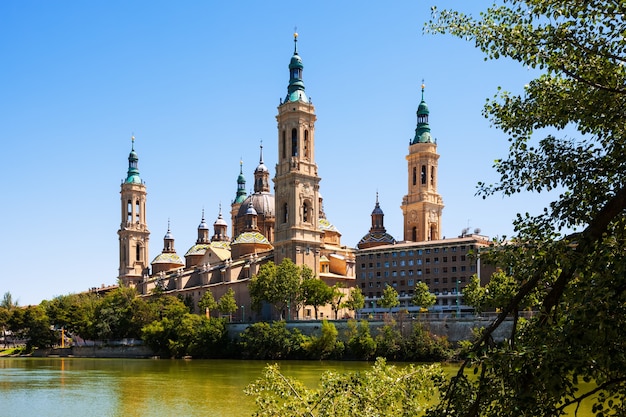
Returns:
point(142, 387)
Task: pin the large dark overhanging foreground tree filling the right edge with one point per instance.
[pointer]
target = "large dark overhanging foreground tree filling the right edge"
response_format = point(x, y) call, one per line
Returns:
point(571, 256)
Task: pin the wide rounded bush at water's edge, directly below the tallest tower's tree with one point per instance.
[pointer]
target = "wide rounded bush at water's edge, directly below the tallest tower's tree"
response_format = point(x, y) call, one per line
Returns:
point(271, 341)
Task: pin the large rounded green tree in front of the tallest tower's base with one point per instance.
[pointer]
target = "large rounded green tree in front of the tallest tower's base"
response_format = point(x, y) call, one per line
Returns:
point(277, 285)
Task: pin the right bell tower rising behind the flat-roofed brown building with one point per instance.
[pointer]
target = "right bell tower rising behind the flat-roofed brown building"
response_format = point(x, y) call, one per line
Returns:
point(422, 206)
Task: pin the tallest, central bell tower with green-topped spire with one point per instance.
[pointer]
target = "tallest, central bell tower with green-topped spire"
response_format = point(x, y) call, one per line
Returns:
point(296, 184)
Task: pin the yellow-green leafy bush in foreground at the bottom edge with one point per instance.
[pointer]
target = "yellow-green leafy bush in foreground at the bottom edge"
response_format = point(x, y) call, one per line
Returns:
point(383, 390)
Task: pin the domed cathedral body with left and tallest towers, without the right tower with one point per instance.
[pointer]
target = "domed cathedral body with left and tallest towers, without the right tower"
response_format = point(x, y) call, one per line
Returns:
point(290, 223)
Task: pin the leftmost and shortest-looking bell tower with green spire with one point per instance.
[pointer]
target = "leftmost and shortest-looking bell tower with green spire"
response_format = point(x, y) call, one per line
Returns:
point(133, 234)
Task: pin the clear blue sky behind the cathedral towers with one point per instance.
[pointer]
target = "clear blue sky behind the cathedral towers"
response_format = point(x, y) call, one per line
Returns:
point(198, 84)
